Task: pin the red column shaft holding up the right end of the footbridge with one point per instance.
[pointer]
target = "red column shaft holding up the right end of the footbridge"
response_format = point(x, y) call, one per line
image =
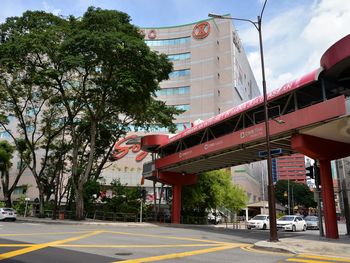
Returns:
point(328, 199)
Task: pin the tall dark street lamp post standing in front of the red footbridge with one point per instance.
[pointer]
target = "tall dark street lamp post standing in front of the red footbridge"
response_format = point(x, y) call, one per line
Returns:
point(271, 190)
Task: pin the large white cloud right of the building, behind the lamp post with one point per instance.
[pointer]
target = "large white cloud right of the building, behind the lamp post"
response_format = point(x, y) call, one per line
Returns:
point(295, 40)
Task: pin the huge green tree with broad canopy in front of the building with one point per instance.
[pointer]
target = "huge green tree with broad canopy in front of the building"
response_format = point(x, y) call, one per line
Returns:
point(97, 70)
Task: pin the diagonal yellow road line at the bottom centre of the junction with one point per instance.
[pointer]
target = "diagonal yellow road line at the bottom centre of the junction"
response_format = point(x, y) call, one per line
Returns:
point(178, 255)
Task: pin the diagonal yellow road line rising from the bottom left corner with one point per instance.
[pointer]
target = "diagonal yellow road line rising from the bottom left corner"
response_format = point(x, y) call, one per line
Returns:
point(44, 245)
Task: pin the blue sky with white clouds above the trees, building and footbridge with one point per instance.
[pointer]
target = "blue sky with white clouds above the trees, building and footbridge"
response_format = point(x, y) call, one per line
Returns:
point(295, 32)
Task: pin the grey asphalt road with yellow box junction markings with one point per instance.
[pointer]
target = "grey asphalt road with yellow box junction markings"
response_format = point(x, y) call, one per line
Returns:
point(28, 242)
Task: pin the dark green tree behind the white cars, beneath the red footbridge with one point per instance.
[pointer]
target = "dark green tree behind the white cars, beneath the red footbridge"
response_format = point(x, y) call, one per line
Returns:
point(300, 193)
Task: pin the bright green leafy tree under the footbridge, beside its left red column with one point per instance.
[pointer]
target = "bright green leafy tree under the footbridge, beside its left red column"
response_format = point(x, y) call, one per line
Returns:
point(213, 190)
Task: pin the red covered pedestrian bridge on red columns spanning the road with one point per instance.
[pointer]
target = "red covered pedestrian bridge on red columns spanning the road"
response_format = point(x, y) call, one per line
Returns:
point(309, 115)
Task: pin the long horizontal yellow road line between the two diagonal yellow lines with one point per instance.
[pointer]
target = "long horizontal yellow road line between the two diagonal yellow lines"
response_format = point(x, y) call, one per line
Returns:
point(137, 246)
